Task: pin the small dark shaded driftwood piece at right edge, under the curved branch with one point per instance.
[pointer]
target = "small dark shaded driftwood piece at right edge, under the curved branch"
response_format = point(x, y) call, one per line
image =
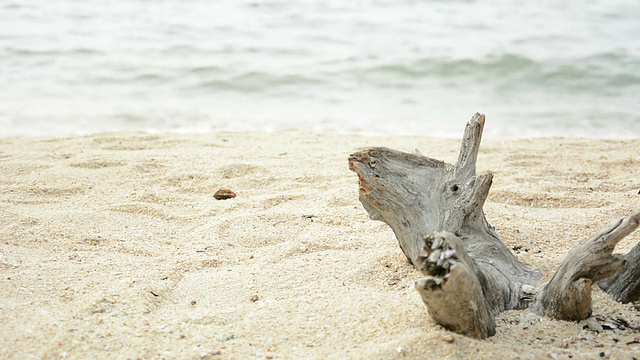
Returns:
point(624, 286)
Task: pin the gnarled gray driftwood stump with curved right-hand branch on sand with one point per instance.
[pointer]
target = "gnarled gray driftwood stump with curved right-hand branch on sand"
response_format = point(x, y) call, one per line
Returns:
point(436, 212)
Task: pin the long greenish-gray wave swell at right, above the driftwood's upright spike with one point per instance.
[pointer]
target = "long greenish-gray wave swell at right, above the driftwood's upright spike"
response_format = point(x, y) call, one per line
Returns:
point(614, 71)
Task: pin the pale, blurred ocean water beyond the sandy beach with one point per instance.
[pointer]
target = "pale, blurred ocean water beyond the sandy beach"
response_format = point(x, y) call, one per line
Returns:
point(376, 67)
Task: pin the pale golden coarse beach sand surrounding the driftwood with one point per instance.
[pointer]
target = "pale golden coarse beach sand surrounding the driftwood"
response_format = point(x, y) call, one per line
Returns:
point(113, 246)
